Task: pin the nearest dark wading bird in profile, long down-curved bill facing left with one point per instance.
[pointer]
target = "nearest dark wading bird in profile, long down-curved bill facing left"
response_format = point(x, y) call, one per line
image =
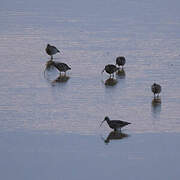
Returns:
point(115, 124)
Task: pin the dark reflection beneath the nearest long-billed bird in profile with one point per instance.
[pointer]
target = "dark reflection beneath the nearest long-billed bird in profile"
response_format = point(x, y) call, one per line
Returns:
point(115, 135)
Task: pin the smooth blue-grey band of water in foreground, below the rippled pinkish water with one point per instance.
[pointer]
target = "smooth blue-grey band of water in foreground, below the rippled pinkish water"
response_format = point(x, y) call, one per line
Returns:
point(72, 156)
